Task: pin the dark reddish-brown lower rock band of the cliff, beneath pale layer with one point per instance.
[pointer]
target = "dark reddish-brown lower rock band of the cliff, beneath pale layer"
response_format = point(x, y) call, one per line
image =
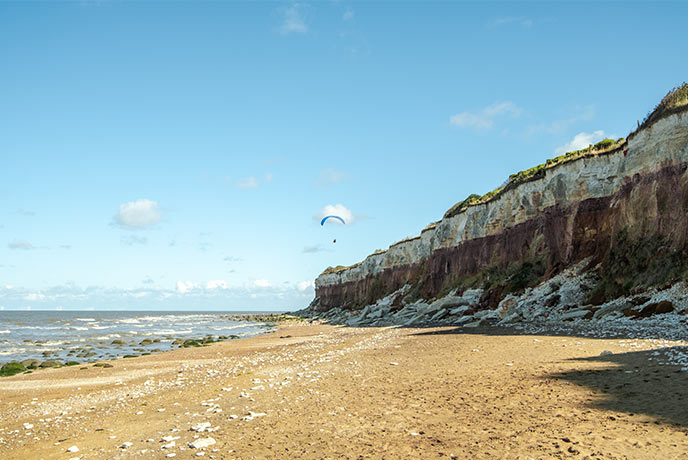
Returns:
point(647, 206)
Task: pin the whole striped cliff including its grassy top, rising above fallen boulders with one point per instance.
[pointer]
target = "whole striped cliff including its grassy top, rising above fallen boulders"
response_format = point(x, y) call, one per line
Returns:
point(620, 208)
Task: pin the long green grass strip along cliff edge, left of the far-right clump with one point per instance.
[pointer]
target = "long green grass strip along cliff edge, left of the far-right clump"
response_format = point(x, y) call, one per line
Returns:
point(536, 172)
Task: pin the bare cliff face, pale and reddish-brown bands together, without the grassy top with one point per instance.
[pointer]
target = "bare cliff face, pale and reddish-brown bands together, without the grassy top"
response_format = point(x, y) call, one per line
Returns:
point(574, 211)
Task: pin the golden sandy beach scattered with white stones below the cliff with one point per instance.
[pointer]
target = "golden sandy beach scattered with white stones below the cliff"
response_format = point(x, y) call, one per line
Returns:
point(311, 391)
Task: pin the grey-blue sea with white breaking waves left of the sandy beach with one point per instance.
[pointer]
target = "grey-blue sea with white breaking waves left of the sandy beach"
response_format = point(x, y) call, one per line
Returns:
point(86, 336)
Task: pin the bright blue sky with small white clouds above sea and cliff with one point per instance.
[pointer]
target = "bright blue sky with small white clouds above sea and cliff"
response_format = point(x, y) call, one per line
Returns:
point(179, 155)
